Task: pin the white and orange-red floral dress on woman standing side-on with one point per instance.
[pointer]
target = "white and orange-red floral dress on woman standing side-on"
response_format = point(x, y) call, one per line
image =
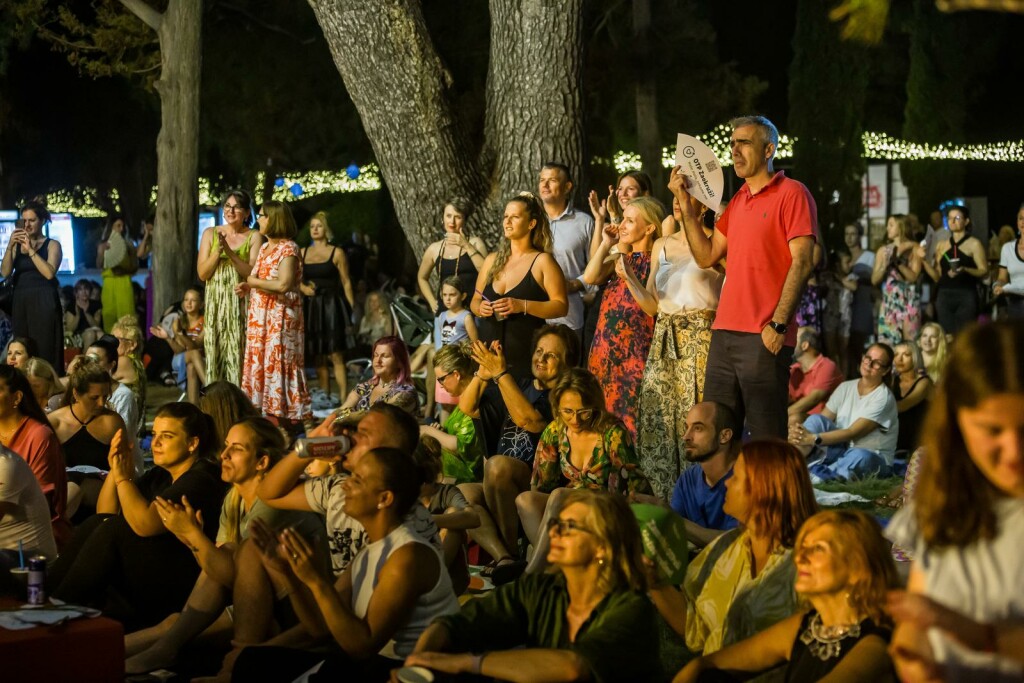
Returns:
point(274, 375)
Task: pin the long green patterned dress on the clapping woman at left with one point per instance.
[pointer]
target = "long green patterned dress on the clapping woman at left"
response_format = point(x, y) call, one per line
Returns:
point(226, 319)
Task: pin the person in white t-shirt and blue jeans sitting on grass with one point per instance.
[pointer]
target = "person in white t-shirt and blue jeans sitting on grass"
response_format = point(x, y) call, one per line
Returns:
point(856, 437)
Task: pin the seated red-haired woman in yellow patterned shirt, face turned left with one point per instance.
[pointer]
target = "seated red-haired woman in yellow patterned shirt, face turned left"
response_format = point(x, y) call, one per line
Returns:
point(743, 582)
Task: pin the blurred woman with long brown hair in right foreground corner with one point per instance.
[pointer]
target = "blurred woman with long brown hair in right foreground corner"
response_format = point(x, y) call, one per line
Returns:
point(966, 522)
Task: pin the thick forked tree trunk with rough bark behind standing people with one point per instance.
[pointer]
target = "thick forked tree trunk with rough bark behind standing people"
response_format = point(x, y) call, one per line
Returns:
point(403, 93)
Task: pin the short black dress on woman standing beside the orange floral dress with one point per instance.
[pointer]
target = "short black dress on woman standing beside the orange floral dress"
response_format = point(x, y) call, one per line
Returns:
point(328, 316)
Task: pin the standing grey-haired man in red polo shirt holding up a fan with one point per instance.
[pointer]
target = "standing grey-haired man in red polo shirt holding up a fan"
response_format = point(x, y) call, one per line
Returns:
point(769, 233)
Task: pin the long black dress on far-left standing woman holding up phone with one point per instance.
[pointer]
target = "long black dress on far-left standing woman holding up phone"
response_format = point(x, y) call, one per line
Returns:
point(36, 310)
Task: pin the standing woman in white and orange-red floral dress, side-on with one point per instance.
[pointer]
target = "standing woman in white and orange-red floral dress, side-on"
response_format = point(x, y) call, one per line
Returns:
point(274, 375)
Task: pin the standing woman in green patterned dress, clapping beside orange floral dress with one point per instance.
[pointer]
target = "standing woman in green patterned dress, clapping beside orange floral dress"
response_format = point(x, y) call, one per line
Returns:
point(227, 257)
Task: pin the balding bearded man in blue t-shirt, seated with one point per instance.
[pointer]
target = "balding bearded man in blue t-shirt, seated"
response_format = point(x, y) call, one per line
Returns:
point(712, 441)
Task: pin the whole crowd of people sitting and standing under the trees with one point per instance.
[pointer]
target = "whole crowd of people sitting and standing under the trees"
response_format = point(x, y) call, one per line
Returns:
point(731, 369)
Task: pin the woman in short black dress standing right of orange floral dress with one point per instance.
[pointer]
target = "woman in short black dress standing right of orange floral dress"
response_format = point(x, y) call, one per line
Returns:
point(327, 306)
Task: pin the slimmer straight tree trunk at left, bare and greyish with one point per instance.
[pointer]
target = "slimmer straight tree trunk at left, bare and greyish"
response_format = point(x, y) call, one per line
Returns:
point(180, 30)
